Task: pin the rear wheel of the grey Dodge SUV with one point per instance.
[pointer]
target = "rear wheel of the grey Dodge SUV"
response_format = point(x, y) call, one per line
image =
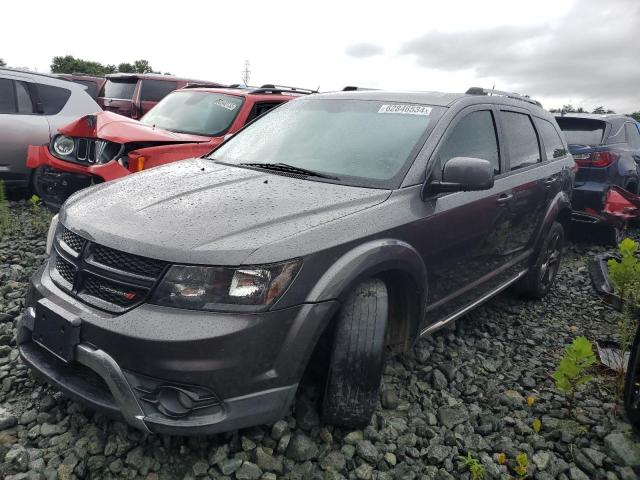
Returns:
point(538, 281)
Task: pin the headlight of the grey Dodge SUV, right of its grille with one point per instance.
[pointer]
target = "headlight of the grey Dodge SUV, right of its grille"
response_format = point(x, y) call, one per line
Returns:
point(224, 289)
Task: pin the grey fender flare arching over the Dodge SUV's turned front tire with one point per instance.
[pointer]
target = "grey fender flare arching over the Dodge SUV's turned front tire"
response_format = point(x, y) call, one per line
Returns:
point(371, 259)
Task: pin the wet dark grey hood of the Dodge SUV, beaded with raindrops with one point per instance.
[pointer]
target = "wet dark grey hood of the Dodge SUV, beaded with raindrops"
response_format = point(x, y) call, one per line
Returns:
point(200, 212)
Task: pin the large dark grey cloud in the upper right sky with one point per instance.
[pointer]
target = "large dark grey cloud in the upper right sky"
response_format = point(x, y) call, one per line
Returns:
point(591, 54)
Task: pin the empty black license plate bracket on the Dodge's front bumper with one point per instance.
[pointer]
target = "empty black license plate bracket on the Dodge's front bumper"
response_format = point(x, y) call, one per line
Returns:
point(56, 330)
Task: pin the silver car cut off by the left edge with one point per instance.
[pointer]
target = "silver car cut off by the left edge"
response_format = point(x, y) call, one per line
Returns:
point(32, 108)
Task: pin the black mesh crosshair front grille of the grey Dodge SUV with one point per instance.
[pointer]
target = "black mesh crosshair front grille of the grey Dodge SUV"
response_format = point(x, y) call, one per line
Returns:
point(106, 278)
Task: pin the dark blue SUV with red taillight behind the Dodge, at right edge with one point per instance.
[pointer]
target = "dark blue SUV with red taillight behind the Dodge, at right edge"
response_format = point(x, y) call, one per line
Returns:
point(606, 149)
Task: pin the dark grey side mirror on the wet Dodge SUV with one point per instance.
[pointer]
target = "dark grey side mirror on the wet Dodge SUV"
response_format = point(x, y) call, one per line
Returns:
point(462, 174)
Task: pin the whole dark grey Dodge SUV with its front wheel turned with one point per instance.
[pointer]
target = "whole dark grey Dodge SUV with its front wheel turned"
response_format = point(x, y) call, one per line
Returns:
point(189, 298)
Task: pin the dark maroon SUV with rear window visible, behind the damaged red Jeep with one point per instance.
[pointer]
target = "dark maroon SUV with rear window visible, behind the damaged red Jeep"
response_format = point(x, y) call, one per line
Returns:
point(134, 94)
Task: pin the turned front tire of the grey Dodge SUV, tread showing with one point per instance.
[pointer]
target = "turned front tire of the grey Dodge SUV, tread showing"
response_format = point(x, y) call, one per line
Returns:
point(357, 357)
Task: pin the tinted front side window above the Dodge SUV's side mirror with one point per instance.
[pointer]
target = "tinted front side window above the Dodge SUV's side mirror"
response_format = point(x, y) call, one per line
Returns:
point(474, 136)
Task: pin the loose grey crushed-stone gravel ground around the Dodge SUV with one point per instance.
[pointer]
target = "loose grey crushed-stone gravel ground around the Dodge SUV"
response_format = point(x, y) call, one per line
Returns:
point(461, 391)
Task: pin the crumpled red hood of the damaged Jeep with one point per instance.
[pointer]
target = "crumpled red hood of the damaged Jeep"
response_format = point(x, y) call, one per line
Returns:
point(117, 128)
